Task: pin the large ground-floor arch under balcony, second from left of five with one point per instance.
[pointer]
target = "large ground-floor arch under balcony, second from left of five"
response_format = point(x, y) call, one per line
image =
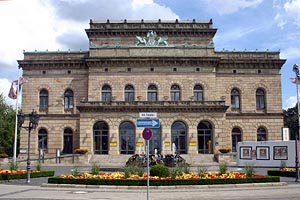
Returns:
point(127, 138)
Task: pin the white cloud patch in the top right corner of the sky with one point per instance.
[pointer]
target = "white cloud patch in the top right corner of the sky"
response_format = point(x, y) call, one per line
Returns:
point(288, 13)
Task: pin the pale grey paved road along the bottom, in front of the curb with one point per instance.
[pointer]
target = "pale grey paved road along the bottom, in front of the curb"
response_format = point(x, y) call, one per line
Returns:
point(290, 192)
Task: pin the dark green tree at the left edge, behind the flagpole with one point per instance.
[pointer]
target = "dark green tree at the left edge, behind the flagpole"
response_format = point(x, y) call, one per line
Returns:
point(7, 127)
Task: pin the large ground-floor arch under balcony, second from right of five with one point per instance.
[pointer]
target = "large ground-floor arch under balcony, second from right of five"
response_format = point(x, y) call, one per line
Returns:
point(179, 137)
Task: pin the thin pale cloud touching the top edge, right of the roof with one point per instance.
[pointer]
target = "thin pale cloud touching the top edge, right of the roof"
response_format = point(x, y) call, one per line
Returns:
point(223, 7)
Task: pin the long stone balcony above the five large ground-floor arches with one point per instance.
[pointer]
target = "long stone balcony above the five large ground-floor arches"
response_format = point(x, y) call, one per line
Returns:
point(152, 106)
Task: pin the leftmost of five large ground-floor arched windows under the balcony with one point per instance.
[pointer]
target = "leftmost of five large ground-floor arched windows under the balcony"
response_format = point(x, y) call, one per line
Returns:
point(101, 132)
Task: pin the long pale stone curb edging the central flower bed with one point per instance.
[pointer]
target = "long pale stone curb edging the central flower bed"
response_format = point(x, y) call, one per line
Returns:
point(184, 187)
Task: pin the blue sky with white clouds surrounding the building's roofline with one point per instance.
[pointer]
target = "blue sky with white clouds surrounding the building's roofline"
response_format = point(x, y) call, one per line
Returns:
point(29, 25)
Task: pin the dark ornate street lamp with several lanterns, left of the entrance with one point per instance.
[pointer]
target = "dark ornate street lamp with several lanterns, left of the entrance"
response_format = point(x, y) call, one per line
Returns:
point(33, 123)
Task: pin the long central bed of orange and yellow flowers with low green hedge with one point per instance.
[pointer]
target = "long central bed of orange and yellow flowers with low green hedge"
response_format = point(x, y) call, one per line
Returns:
point(118, 178)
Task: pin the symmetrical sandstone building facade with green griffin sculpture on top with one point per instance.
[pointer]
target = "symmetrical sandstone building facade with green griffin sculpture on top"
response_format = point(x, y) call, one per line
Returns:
point(205, 99)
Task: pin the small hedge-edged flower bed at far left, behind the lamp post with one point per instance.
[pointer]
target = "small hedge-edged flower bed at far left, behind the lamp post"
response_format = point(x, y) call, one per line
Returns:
point(22, 174)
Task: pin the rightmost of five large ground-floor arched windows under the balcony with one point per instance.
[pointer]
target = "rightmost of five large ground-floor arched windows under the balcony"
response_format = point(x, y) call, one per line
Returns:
point(205, 137)
